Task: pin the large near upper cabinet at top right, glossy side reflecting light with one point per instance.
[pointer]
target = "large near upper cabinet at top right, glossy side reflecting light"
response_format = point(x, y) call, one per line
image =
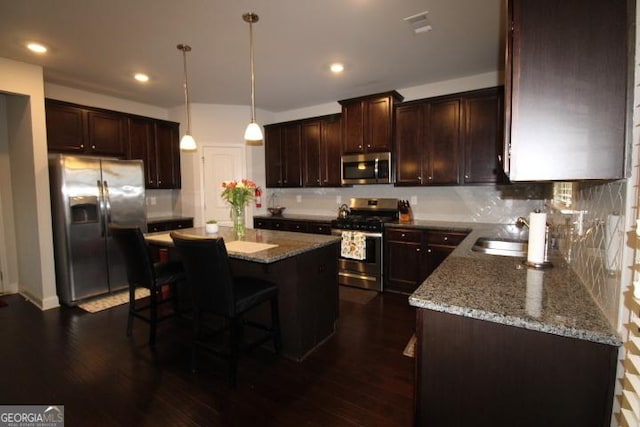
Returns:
point(567, 78)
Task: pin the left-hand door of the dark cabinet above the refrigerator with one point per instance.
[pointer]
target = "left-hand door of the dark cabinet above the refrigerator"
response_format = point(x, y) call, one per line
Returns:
point(65, 128)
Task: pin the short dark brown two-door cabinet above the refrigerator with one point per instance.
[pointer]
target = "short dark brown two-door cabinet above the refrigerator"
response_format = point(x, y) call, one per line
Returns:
point(76, 129)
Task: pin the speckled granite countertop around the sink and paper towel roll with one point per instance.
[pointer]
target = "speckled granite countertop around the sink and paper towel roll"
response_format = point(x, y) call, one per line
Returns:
point(503, 290)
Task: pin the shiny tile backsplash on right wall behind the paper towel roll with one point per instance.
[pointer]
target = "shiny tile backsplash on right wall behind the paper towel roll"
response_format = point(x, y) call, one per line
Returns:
point(590, 235)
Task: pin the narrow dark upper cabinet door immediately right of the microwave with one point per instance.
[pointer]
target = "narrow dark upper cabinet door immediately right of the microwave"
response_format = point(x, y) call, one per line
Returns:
point(409, 144)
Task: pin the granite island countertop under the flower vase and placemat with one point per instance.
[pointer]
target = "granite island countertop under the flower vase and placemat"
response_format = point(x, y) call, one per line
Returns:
point(288, 243)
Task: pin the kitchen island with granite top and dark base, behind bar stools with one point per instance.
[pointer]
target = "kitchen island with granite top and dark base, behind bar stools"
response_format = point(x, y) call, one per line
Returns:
point(303, 266)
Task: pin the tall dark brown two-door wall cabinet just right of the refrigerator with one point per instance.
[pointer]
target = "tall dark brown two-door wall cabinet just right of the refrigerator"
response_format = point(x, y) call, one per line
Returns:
point(156, 143)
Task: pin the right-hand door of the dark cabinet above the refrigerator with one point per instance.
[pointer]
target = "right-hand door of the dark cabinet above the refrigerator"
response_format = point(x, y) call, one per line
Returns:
point(106, 133)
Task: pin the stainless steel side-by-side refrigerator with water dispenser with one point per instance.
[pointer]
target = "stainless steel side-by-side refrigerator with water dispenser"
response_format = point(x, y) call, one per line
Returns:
point(88, 194)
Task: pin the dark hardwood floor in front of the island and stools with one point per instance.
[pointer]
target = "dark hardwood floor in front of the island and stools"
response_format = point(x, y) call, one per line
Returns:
point(85, 362)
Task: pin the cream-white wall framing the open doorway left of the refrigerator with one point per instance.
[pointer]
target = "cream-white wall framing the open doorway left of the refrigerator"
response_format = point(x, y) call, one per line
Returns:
point(25, 117)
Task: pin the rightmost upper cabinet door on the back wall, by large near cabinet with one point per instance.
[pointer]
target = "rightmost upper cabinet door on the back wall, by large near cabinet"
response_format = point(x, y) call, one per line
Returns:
point(482, 137)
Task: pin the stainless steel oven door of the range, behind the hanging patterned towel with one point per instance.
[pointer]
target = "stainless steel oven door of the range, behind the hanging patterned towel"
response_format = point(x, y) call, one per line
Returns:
point(365, 273)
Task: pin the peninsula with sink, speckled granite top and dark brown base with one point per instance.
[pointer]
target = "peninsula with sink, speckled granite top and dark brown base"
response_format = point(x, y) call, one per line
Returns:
point(501, 344)
